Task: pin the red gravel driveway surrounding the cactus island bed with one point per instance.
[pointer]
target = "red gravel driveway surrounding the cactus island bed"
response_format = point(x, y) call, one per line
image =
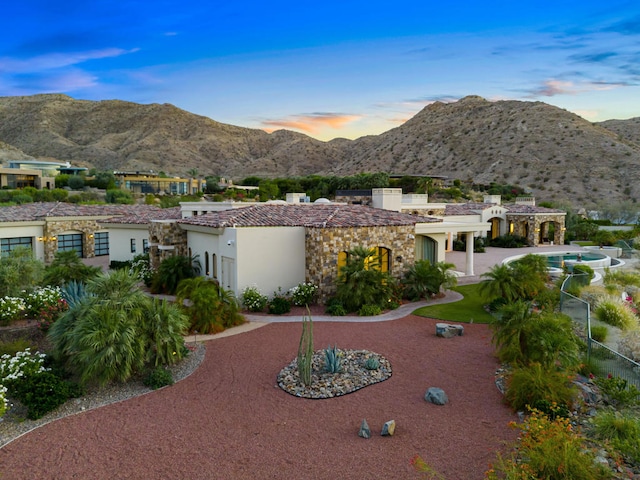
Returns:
point(229, 420)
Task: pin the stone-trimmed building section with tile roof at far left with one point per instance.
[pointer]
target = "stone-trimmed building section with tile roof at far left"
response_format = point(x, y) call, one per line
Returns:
point(49, 227)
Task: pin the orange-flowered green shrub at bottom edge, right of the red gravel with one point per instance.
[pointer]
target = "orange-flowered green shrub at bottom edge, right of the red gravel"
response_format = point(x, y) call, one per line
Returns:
point(550, 449)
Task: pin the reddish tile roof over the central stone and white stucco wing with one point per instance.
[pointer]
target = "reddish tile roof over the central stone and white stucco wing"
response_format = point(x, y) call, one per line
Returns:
point(331, 216)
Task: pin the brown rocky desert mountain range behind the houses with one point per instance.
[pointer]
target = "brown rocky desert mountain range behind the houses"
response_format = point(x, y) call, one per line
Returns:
point(555, 154)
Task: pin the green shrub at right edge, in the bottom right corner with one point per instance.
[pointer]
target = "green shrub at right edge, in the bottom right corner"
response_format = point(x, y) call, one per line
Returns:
point(620, 430)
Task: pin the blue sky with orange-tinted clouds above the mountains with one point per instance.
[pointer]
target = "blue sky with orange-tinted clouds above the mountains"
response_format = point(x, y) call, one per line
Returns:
point(331, 69)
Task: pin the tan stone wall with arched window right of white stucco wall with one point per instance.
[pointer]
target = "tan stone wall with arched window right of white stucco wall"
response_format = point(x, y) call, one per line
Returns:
point(323, 245)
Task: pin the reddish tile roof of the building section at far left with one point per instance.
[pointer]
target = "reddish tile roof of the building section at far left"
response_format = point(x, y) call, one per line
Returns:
point(30, 212)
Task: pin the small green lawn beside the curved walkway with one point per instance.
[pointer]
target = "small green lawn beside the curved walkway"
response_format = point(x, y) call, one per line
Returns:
point(469, 309)
